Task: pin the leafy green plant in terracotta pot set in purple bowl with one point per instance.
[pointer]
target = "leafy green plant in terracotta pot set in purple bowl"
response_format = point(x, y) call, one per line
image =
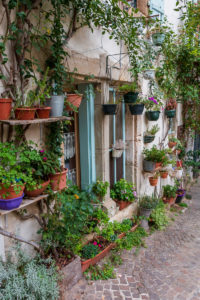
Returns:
point(13, 175)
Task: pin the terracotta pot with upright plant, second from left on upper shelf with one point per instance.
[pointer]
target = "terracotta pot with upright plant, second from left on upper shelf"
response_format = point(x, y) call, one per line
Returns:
point(24, 108)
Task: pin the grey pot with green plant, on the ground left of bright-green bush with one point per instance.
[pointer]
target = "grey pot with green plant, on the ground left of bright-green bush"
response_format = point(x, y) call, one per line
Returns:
point(146, 205)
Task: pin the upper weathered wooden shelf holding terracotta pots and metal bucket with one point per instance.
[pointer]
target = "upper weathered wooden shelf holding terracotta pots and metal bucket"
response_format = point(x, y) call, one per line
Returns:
point(35, 121)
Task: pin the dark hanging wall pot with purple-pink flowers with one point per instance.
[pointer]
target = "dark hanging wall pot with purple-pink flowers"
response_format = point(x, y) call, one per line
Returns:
point(153, 107)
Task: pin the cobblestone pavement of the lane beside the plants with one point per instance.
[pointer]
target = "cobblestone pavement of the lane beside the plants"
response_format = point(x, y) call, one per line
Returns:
point(168, 269)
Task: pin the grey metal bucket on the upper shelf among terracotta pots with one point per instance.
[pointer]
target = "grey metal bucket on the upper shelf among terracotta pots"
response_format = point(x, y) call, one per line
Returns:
point(56, 102)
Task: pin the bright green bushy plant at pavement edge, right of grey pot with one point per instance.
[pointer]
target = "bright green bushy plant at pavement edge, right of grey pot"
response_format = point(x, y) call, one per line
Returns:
point(158, 217)
